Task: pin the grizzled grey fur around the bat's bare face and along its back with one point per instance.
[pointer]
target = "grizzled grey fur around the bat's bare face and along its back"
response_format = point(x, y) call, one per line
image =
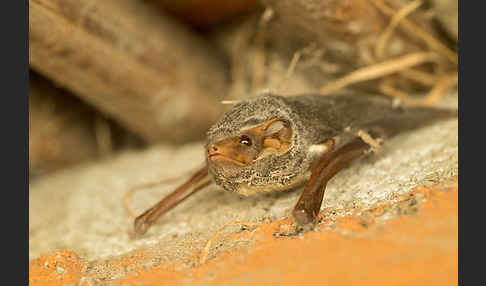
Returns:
point(314, 119)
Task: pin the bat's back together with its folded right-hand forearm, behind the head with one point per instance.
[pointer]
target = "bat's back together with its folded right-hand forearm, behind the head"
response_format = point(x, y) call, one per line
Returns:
point(350, 126)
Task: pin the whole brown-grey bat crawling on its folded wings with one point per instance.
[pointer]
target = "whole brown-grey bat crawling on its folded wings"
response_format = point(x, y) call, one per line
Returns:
point(272, 143)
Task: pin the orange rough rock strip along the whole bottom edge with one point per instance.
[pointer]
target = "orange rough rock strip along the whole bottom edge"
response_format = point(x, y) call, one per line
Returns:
point(418, 246)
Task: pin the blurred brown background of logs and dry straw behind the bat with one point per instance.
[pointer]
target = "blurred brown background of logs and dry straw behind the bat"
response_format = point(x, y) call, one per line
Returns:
point(114, 75)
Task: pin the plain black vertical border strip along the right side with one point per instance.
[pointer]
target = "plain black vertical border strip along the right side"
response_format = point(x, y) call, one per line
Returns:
point(471, 98)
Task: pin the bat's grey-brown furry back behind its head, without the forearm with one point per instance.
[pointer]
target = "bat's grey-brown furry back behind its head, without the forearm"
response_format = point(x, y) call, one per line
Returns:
point(330, 116)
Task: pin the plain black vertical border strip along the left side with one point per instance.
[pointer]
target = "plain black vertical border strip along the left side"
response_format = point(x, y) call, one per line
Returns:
point(14, 28)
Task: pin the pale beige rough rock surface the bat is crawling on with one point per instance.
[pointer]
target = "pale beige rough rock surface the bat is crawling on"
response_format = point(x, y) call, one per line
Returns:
point(81, 209)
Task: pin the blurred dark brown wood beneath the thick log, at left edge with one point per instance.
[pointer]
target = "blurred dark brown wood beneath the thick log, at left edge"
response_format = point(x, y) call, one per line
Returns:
point(60, 128)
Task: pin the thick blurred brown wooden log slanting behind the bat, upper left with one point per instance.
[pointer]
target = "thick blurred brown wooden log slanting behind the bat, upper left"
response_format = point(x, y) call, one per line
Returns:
point(135, 65)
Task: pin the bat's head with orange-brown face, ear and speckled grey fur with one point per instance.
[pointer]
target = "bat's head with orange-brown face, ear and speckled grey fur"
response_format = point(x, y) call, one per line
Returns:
point(256, 147)
